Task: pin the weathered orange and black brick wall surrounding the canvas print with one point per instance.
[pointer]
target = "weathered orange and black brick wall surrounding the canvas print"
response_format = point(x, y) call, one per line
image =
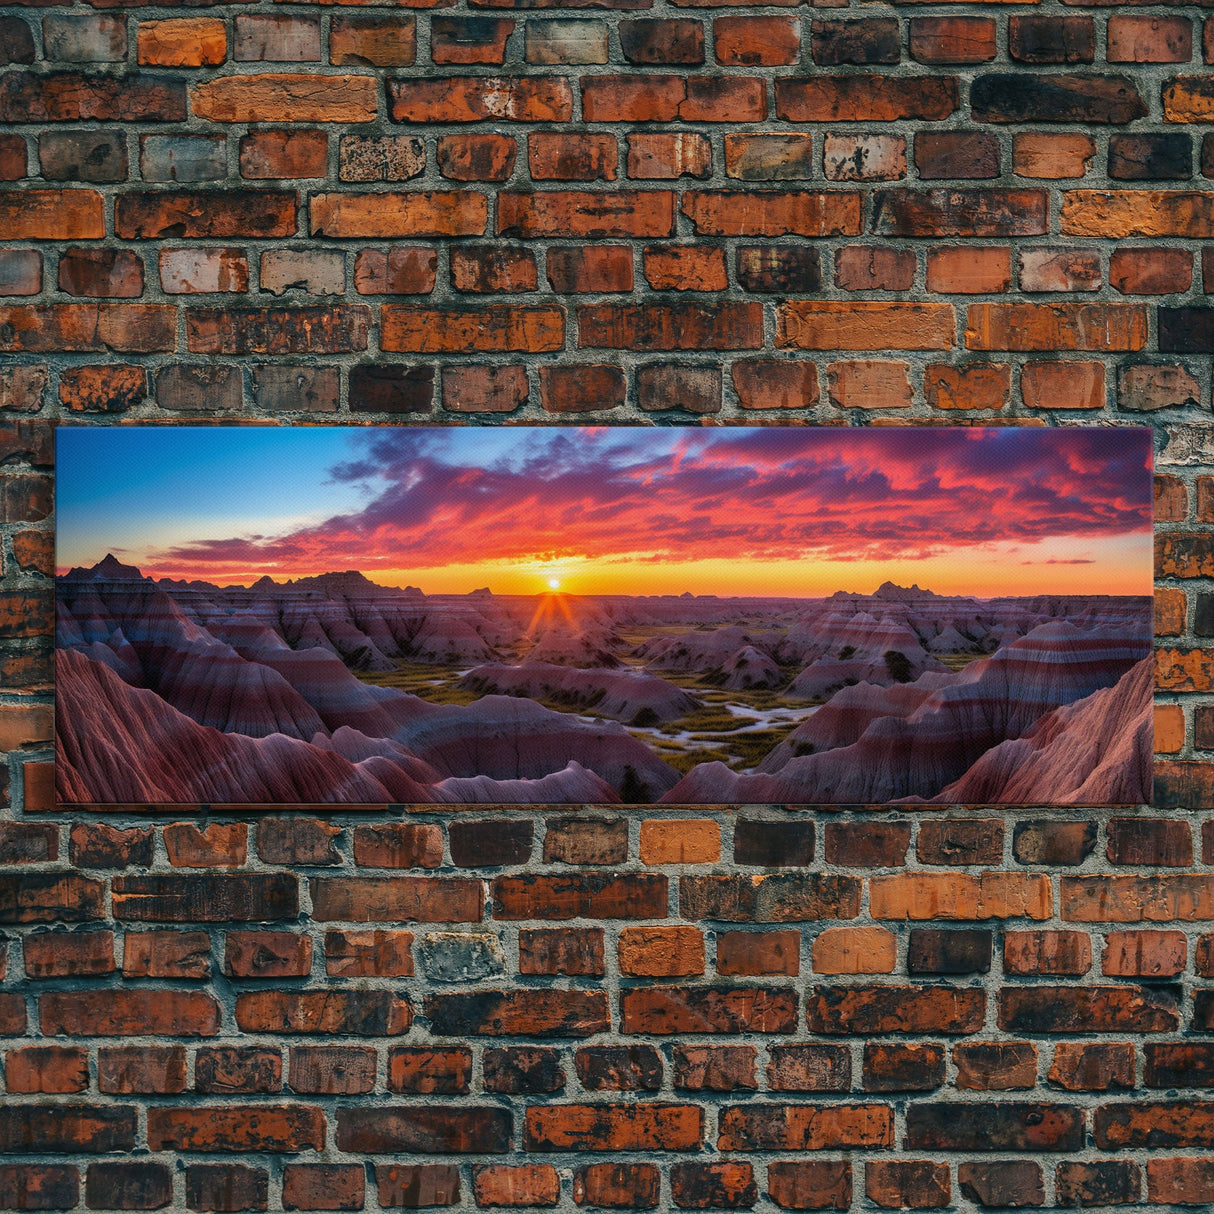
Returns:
point(960, 213)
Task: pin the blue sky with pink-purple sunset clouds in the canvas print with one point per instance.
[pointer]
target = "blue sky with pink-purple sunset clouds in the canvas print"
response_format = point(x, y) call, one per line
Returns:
point(620, 509)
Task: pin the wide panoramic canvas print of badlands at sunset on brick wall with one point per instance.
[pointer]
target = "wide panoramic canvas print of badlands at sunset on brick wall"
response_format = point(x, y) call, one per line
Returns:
point(691, 616)
